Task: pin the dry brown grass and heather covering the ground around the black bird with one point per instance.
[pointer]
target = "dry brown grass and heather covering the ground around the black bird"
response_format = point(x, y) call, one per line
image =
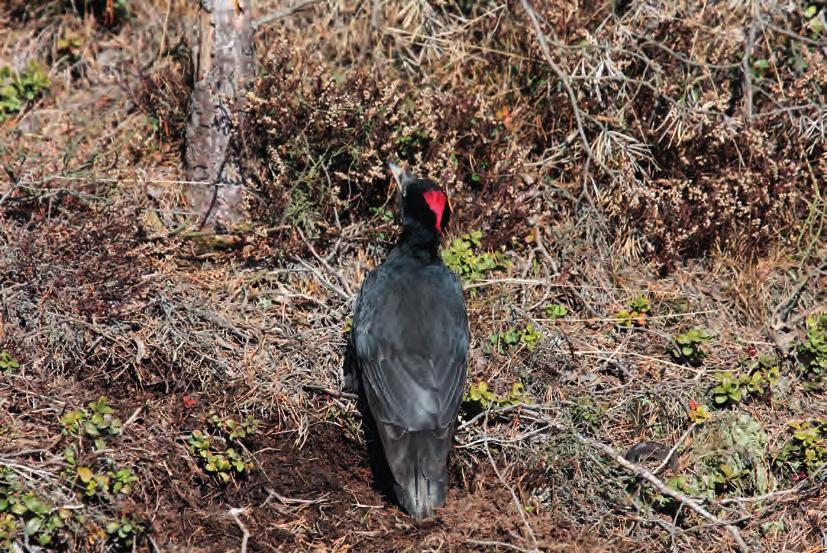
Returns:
point(104, 292)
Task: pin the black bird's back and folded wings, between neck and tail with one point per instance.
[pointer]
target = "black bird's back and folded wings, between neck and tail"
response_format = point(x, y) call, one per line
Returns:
point(411, 341)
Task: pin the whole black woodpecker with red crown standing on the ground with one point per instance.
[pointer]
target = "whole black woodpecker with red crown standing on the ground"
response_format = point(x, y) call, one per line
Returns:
point(410, 339)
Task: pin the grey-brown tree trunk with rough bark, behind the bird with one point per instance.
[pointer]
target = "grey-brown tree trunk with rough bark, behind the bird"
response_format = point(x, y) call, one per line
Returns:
point(224, 60)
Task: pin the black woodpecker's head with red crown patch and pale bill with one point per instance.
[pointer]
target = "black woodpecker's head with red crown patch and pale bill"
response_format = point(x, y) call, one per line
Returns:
point(424, 204)
